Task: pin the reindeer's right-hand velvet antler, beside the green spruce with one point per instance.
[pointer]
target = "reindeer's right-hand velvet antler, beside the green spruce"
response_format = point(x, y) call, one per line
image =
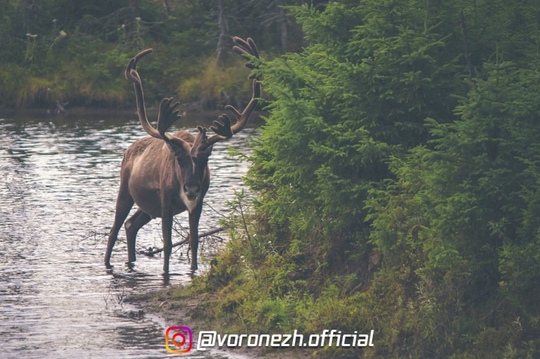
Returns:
point(222, 127)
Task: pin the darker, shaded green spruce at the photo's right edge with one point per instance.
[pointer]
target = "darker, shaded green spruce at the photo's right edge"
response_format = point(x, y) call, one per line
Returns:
point(458, 216)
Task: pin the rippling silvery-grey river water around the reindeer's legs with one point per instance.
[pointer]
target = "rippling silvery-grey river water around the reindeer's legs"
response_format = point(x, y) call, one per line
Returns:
point(59, 178)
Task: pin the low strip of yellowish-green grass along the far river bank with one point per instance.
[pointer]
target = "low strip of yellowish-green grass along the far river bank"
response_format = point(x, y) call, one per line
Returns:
point(103, 85)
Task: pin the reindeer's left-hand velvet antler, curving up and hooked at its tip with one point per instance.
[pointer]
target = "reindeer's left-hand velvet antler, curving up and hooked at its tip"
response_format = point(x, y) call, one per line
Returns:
point(168, 111)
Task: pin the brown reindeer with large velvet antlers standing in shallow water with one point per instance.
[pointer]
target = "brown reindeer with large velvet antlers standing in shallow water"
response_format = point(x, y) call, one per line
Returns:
point(166, 174)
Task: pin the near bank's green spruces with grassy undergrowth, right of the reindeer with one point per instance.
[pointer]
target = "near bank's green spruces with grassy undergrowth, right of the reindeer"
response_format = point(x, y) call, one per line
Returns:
point(397, 184)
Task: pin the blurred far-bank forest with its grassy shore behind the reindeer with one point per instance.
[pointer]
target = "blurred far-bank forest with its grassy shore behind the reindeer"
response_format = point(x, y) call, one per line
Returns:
point(76, 51)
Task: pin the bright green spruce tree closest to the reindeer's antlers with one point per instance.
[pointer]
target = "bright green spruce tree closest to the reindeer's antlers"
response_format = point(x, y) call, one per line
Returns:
point(343, 107)
